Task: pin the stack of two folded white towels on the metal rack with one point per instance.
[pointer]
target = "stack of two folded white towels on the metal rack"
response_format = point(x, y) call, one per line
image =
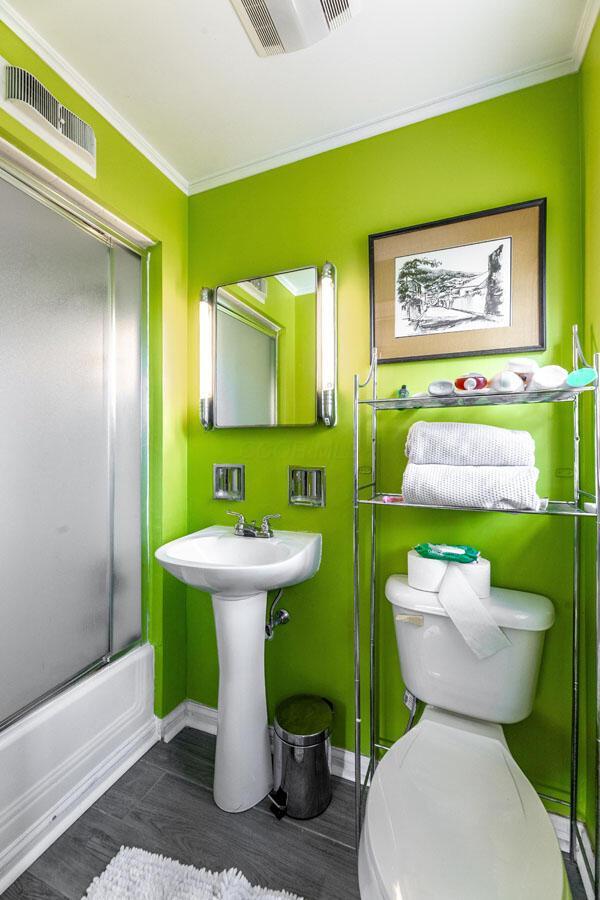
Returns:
point(455, 464)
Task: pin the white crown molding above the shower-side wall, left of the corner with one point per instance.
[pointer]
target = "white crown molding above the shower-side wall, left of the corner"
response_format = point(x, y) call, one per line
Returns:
point(59, 64)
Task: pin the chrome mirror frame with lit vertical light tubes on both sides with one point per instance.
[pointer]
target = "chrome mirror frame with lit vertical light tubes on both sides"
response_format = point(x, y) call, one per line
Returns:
point(327, 349)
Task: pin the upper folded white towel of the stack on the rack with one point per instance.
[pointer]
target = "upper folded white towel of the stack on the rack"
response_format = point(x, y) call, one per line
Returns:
point(460, 444)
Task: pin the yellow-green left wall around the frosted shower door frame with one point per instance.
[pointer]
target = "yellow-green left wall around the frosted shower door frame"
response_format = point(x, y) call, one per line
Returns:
point(132, 188)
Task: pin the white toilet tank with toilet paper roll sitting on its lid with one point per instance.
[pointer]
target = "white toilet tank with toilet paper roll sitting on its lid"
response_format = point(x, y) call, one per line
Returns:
point(439, 668)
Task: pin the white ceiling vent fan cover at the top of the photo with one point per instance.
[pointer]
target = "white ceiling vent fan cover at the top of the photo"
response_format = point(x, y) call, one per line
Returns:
point(283, 26)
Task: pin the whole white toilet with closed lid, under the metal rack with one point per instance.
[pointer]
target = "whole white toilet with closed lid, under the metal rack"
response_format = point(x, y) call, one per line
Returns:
point(450, 816)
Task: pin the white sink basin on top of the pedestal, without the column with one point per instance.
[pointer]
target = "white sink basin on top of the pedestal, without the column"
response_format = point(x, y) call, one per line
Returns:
point(218, 561)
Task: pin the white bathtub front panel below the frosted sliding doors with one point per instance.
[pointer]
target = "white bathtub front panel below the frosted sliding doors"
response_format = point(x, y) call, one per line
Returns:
point(57, 761)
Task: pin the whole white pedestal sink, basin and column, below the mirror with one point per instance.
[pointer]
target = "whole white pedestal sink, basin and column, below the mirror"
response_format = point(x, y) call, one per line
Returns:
point(238, 572)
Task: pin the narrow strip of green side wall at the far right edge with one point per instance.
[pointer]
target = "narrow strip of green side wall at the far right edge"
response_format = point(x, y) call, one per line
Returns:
point(590, 108)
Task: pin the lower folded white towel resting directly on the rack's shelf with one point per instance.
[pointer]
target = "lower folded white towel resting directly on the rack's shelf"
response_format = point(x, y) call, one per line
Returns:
point(484, 487)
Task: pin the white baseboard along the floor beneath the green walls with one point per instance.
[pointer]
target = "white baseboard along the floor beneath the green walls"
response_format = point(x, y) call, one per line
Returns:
point(191, 714)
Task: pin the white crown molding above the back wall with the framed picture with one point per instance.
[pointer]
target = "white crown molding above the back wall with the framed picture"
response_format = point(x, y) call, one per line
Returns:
point(437, 107)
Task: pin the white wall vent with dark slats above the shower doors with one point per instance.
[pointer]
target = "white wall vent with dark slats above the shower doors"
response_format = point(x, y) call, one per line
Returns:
point(27, 100)
